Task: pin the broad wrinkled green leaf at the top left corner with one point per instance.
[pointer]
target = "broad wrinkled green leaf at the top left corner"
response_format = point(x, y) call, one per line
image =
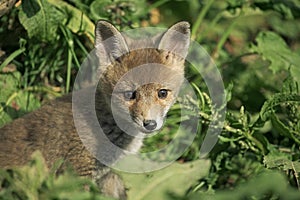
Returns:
point(41, 19)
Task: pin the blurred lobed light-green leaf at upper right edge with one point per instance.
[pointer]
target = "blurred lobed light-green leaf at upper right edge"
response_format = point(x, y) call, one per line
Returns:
point(274, 49)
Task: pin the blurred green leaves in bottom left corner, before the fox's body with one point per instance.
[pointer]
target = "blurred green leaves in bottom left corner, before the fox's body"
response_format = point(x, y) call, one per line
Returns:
point(36, 181)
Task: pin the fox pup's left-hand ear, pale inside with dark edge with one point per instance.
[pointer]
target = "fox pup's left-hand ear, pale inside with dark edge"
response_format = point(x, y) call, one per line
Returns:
point(109, 42)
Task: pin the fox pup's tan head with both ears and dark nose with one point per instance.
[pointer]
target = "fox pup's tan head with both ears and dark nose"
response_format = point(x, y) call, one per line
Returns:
point(140, 79)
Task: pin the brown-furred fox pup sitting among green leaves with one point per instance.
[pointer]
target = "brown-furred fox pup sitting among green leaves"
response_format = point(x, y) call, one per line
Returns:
point(142, 106)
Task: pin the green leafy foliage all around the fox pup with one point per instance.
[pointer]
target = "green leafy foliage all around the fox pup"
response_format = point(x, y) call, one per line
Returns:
point(254, 43)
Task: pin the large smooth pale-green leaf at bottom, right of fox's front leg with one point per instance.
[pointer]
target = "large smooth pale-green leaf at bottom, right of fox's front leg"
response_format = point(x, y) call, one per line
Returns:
point(176, 179)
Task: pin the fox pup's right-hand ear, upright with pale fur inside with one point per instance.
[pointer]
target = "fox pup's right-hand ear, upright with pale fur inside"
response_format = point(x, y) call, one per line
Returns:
point(176, 39)
